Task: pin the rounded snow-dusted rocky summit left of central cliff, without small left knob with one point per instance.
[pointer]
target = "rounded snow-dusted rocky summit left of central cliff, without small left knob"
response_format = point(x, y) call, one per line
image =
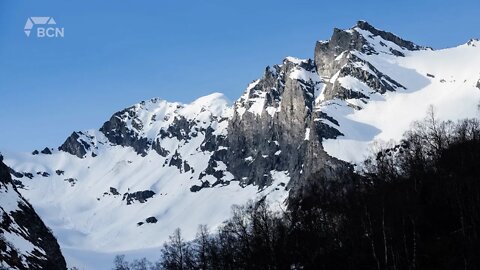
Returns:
point(146, 125)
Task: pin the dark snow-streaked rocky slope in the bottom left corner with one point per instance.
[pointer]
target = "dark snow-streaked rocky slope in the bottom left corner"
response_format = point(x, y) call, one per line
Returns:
point(25, 242)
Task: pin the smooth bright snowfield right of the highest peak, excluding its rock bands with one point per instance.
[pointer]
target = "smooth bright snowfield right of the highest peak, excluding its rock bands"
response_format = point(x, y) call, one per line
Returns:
point(452, 92)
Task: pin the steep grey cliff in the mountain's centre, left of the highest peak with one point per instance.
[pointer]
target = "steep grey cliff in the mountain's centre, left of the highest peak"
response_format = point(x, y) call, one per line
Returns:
point(273, 125)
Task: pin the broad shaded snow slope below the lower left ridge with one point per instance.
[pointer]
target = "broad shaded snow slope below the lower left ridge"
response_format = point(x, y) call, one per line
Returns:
point(83, 199)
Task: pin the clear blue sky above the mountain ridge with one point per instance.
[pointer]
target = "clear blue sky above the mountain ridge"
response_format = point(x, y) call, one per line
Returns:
point(116, 53)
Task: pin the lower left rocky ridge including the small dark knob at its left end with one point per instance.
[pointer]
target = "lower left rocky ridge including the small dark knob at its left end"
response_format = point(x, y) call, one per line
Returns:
point(144, 125)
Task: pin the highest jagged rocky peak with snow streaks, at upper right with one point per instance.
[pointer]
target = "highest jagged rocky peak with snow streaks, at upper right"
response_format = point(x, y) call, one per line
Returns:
point(346, 57)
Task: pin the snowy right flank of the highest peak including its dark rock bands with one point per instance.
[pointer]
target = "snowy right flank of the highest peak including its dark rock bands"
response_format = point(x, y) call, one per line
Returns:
point(413, 81)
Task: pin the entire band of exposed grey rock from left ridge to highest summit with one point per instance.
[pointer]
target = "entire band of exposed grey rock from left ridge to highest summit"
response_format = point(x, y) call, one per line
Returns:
point(277, 125)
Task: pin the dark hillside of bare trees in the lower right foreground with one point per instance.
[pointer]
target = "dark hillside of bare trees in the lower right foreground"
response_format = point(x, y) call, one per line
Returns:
point(415, 206)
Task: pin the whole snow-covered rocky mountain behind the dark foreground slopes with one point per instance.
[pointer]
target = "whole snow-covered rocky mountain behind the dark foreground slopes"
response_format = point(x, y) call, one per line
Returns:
point(159, 165)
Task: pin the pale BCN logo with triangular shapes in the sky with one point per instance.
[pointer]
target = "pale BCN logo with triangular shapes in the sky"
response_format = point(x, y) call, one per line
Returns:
point(45, 27)
